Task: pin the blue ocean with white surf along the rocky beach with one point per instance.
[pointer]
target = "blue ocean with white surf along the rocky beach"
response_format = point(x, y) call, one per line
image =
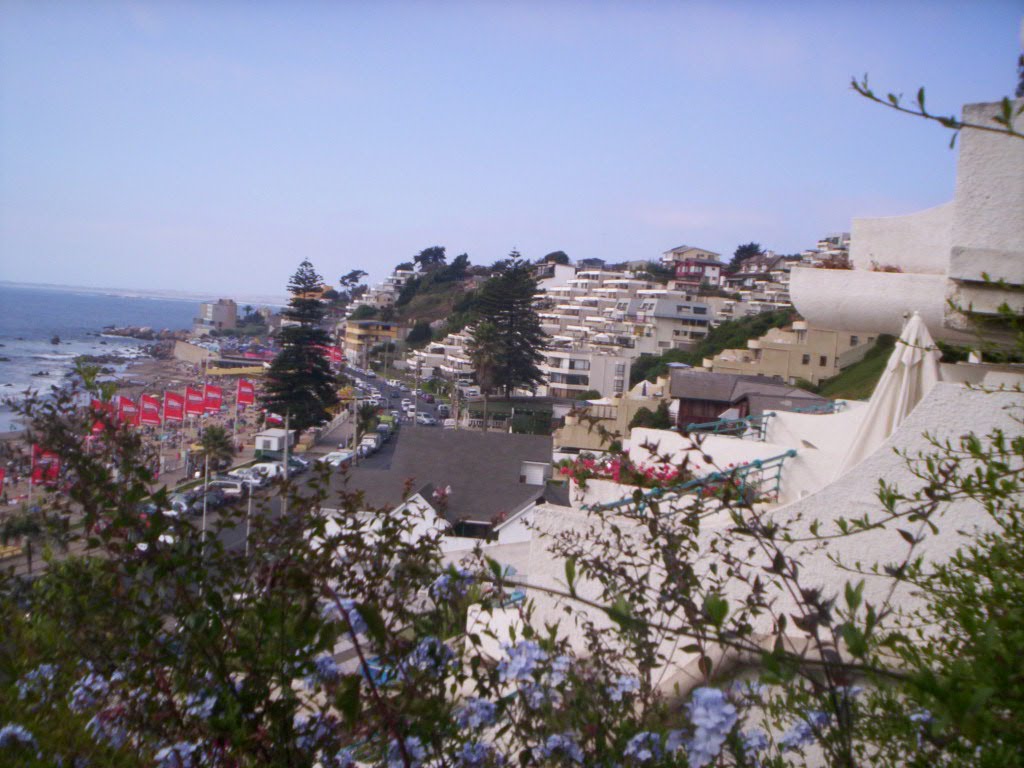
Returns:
point(31, 317)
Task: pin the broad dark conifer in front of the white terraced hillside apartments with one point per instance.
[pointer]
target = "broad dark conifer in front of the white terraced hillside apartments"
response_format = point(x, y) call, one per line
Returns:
point(506, 302)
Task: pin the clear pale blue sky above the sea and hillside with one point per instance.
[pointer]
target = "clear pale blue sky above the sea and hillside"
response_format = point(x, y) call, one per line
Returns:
point(211, 147)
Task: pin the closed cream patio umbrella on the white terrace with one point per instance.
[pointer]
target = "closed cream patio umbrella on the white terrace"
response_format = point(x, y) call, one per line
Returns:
point(912, 372)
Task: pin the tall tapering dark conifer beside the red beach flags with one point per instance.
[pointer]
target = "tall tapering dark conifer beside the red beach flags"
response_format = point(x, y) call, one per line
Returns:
point(300, 382)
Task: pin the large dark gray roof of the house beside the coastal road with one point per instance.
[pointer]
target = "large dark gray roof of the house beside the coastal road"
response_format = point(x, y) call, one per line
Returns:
point(483, 471)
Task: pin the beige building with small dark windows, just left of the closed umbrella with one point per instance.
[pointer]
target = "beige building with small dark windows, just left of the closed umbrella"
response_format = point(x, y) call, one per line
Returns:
point(794, 354)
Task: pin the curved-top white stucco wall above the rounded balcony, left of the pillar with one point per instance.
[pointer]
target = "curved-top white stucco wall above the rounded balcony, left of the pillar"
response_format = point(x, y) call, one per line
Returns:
point(917, 243)
